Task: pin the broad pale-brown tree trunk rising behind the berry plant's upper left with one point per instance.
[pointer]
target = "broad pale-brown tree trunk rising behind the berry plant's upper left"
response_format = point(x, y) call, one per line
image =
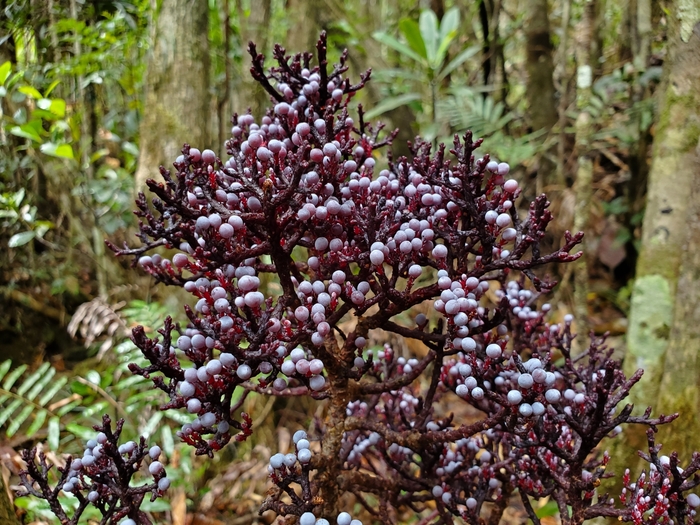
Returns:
point(177, 103)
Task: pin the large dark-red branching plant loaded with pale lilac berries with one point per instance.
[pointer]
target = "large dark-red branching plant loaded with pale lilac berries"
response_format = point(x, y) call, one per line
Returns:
point(300, 196)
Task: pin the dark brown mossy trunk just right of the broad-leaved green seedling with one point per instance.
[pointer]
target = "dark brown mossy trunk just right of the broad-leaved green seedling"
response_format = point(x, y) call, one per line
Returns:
point(540, 77)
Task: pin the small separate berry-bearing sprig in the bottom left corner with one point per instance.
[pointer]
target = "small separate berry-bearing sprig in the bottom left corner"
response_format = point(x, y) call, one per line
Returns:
point(102, 478)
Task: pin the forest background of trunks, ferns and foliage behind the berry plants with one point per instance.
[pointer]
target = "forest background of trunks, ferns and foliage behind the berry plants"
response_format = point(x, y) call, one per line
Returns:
point(596, 103)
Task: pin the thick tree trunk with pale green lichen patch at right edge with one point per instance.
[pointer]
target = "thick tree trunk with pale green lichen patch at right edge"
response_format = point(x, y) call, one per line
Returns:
point(664, 324)
